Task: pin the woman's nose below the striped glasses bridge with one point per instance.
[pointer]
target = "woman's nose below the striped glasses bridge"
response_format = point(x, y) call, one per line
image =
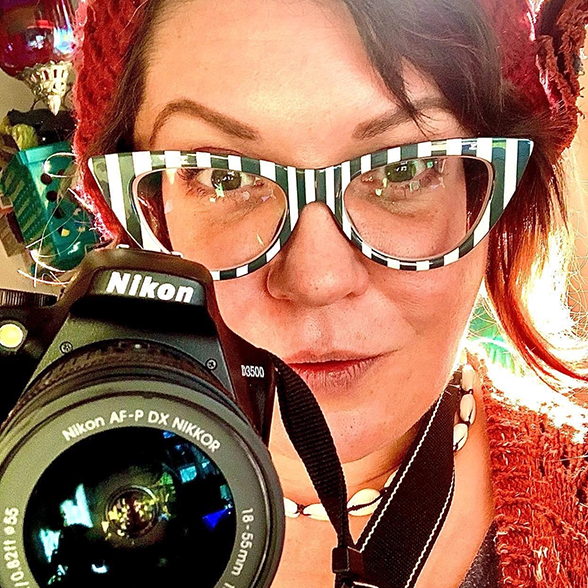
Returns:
point(318, 266)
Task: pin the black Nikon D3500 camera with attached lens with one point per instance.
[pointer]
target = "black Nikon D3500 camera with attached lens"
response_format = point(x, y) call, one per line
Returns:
point(134, 453)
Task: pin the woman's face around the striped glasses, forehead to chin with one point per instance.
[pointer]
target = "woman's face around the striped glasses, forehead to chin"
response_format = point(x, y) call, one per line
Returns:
point(290, 82)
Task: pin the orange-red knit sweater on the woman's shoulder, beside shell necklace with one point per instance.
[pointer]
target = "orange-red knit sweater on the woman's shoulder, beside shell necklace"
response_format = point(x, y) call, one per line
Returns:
point(540, 479)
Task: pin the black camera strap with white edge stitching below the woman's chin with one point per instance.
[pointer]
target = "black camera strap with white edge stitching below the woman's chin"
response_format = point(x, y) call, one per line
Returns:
point(401, 533)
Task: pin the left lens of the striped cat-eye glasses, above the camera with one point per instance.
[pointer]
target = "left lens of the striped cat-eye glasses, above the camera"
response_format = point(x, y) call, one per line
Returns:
point(217, 217)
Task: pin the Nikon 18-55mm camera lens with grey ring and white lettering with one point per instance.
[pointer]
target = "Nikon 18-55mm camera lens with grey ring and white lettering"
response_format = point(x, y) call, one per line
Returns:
point(127, 464)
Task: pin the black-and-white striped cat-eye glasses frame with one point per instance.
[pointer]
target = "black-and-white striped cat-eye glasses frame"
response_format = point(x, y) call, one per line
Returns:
point(116, 174)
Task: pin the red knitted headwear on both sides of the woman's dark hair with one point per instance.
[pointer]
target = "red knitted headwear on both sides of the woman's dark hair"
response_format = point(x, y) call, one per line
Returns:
point(540, 51)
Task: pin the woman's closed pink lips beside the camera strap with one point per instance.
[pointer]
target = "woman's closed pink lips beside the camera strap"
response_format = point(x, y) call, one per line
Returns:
point(333, 376)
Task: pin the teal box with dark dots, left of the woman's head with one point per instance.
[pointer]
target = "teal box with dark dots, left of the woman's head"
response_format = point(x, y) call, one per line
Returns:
point(56, 230)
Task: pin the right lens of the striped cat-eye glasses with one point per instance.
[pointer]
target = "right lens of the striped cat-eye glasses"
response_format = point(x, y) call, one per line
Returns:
point(419, 208)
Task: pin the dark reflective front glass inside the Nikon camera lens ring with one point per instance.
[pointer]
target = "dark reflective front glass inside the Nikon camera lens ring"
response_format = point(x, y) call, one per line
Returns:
point(130, 507)
